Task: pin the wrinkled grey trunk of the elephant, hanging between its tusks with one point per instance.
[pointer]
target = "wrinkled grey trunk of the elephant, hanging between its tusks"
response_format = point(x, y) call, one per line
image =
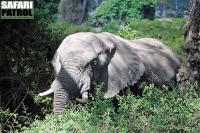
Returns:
point(65, 88)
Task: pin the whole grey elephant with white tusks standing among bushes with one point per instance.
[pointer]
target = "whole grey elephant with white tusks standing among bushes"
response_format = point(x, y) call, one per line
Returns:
point(84, 58)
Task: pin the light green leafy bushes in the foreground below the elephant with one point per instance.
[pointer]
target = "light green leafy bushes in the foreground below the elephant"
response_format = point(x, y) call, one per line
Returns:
point(156, 111)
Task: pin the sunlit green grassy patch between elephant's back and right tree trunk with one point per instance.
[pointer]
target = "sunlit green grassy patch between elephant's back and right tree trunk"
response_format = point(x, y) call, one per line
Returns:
point(167, 31)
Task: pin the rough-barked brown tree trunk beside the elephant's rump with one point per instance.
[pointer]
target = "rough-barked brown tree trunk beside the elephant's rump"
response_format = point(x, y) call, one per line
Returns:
point(189, 73)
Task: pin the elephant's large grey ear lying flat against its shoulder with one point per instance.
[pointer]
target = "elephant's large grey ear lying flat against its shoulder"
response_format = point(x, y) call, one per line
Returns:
point(124, 68)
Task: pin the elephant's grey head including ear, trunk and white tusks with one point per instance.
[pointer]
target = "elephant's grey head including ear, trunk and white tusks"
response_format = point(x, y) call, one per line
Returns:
point(86, 57)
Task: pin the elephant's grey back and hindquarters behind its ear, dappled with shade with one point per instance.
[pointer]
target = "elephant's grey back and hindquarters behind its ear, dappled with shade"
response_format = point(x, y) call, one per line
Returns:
point(160, 61)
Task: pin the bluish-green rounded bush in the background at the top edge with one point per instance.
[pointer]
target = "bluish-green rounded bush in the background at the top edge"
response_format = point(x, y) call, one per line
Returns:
point(121, 10)
